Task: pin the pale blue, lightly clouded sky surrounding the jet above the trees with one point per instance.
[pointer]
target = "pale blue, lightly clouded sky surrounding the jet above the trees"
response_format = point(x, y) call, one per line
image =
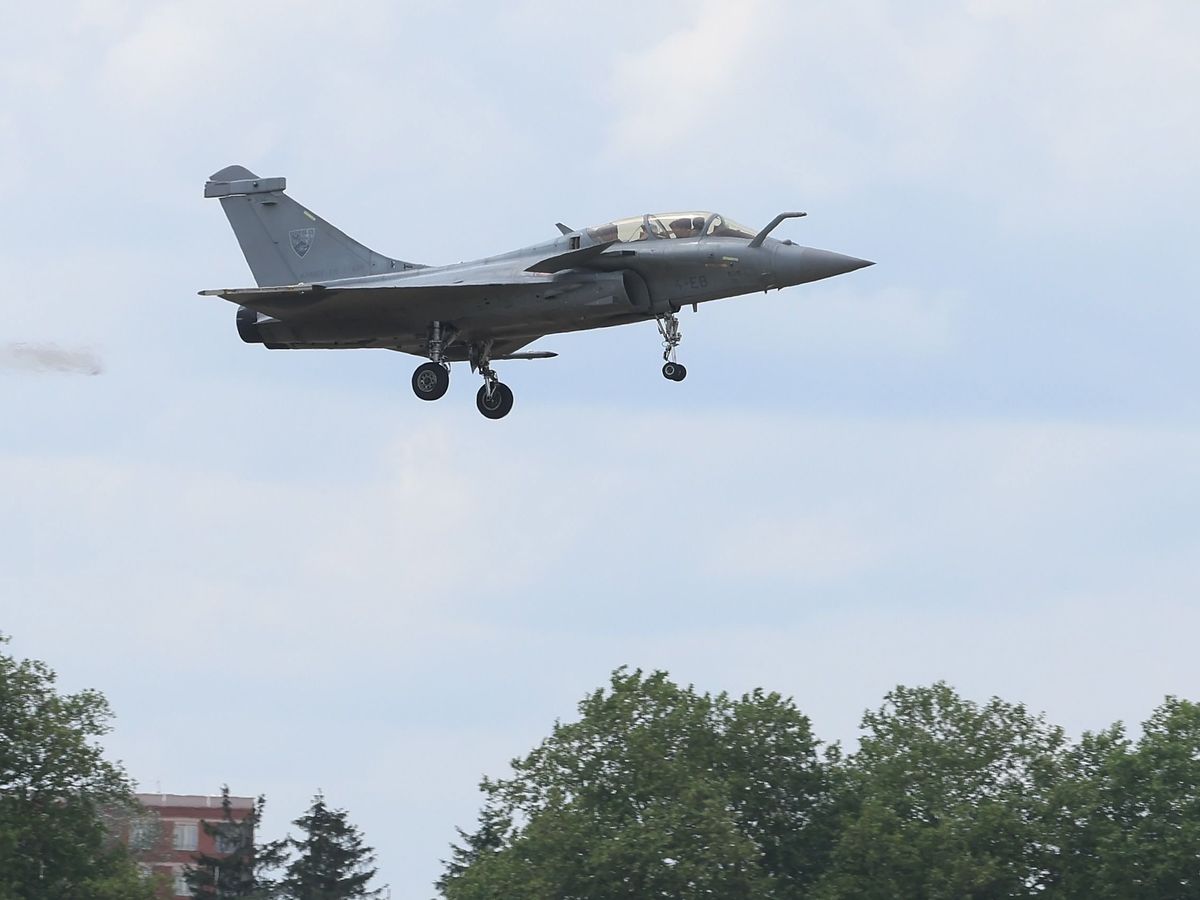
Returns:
point(975, 461)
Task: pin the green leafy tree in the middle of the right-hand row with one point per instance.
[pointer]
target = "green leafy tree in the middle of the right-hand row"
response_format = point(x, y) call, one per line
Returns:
point(946, 799)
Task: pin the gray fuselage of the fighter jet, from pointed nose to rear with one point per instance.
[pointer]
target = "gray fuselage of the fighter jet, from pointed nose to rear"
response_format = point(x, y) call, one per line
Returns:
point(626, 281)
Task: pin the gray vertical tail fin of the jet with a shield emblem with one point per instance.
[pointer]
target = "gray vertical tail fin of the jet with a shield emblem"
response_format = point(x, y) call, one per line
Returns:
point(283, 242)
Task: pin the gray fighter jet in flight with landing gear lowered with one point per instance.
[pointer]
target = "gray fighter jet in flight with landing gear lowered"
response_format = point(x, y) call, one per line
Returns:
point(320, 290)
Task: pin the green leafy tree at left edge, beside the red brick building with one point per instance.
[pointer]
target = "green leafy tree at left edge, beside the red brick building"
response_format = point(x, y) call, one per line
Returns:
point(57, 791)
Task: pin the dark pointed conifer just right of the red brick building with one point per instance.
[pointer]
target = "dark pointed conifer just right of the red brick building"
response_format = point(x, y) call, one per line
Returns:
point(332, 863)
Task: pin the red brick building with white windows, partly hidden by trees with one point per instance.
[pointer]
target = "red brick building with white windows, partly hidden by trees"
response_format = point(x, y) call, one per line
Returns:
point(169, 838)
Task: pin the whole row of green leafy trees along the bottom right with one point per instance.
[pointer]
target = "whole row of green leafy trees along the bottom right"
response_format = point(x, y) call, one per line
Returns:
point(657, 791)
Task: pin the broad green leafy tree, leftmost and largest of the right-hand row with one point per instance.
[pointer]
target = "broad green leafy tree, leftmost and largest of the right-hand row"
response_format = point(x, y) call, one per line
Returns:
point(656, 791)
